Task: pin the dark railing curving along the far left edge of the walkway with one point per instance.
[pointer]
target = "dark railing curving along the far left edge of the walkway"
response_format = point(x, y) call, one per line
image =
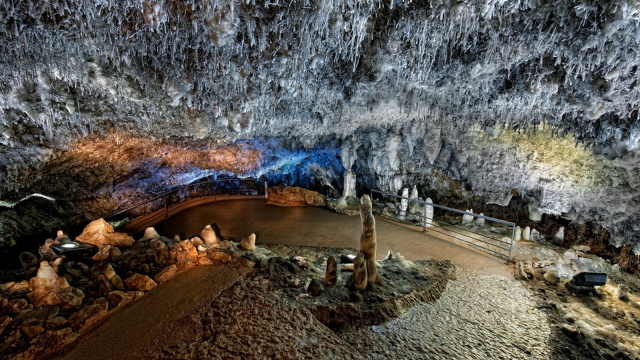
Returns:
point(233, 186)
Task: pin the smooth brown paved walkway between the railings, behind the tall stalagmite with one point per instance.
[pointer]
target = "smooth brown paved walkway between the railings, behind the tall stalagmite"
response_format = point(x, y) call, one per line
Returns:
point(315, 226)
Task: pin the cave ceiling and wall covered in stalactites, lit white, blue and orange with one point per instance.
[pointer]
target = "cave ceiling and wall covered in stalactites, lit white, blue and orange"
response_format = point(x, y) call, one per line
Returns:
point(400, 91)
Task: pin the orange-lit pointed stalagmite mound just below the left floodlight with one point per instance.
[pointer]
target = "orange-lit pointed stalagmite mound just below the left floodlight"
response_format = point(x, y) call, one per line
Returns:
point(51, 289)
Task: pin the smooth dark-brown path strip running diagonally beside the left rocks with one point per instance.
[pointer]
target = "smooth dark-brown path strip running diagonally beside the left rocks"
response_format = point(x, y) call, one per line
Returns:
point(129, 330)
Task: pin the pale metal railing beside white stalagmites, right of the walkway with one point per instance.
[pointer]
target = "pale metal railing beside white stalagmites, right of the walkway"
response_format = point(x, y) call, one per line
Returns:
point(472, 234)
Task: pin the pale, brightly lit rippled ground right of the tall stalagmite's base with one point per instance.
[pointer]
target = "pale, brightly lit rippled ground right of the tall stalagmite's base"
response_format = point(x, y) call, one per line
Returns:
point(479, 316)
